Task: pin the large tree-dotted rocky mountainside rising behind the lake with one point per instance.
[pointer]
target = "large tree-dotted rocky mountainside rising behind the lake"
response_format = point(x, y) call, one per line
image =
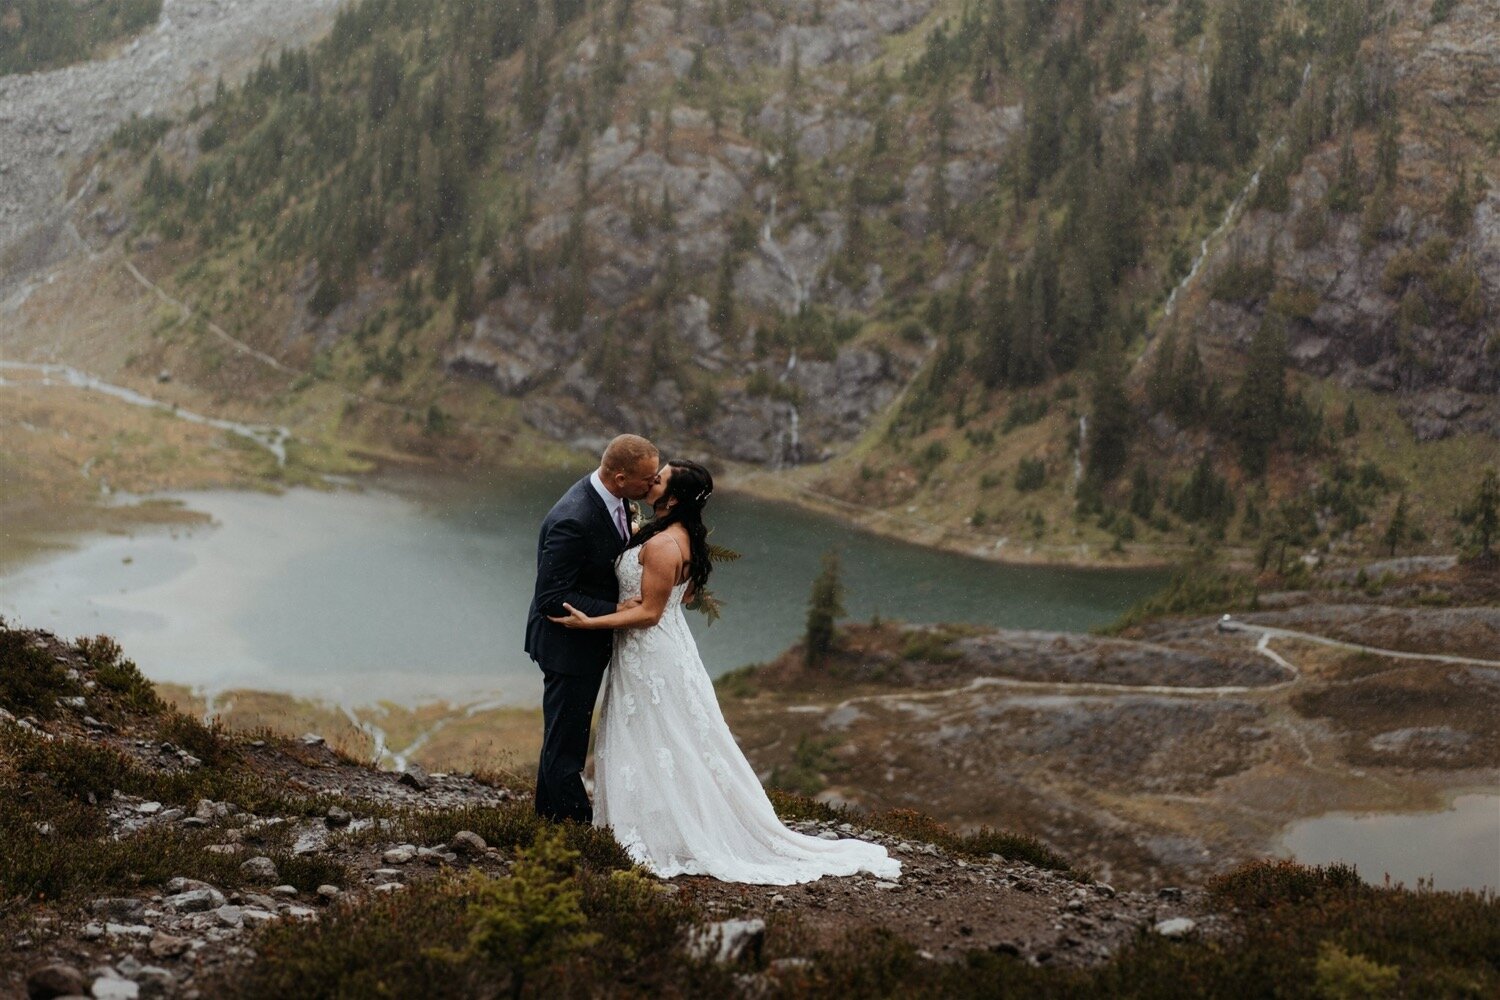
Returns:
point(1079, 281)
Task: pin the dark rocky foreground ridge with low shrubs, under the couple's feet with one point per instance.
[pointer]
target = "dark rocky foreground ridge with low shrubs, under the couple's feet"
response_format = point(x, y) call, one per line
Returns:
point(146, 855)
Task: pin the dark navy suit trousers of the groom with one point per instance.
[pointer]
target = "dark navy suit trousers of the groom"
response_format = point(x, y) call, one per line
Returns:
point(568, 714)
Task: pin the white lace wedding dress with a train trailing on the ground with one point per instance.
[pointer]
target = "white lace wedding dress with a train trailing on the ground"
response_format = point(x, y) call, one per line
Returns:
point(673, 783)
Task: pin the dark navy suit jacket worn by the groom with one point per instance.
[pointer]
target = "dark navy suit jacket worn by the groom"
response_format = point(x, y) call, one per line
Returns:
point(577, 554)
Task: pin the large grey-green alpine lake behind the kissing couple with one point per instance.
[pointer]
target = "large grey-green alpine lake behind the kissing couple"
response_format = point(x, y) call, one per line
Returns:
point(415, 590)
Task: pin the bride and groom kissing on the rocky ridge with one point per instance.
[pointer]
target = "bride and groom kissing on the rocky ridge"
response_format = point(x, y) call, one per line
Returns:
point(670, 779)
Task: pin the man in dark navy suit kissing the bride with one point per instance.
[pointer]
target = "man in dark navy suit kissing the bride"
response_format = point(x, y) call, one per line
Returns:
point(581, 537)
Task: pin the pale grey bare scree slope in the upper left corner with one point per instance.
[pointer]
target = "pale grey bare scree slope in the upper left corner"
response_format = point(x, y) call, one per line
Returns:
point(50, 119)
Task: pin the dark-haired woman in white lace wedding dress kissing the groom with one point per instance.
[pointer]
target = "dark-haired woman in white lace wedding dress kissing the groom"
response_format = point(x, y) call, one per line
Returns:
point(668, 774)
